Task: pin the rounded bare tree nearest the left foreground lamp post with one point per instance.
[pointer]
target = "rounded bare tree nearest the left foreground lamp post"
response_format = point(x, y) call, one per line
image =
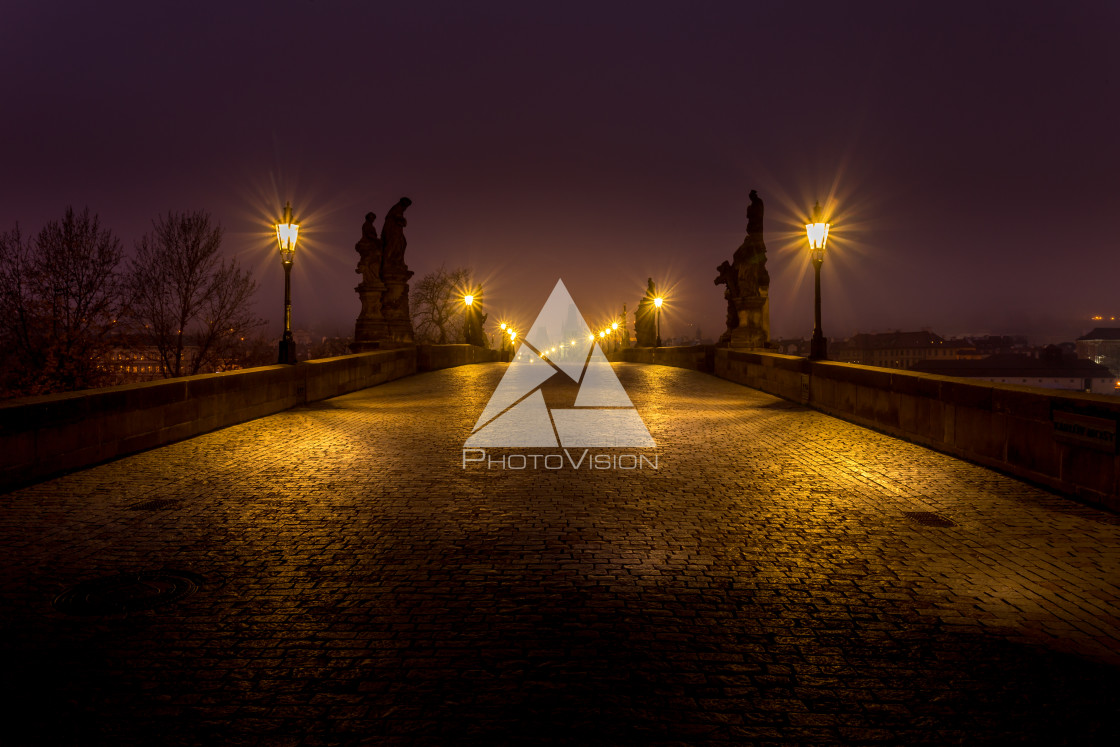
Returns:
point(189, 303)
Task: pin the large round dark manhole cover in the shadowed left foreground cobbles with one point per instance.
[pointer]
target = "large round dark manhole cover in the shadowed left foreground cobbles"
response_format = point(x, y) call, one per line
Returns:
point(128, 593)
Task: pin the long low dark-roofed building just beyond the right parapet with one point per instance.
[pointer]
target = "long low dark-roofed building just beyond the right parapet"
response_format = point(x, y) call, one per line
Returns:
point(1052, 370)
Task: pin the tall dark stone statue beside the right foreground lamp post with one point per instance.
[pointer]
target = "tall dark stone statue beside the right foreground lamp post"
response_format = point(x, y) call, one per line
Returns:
point(748, 285)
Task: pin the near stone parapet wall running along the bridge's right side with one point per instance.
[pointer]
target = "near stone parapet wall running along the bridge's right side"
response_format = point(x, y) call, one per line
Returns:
point(1065, 441)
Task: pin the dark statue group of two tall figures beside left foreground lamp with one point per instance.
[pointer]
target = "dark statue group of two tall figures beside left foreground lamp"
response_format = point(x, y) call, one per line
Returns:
point(385, 321)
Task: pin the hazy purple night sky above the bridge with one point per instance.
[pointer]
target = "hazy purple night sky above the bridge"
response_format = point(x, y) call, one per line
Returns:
point(968, 152)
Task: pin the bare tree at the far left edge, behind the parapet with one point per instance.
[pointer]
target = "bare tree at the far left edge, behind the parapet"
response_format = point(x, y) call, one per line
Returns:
point(61, 296)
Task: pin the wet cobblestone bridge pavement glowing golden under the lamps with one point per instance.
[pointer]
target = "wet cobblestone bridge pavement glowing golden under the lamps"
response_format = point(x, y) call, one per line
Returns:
point(763, 585)
